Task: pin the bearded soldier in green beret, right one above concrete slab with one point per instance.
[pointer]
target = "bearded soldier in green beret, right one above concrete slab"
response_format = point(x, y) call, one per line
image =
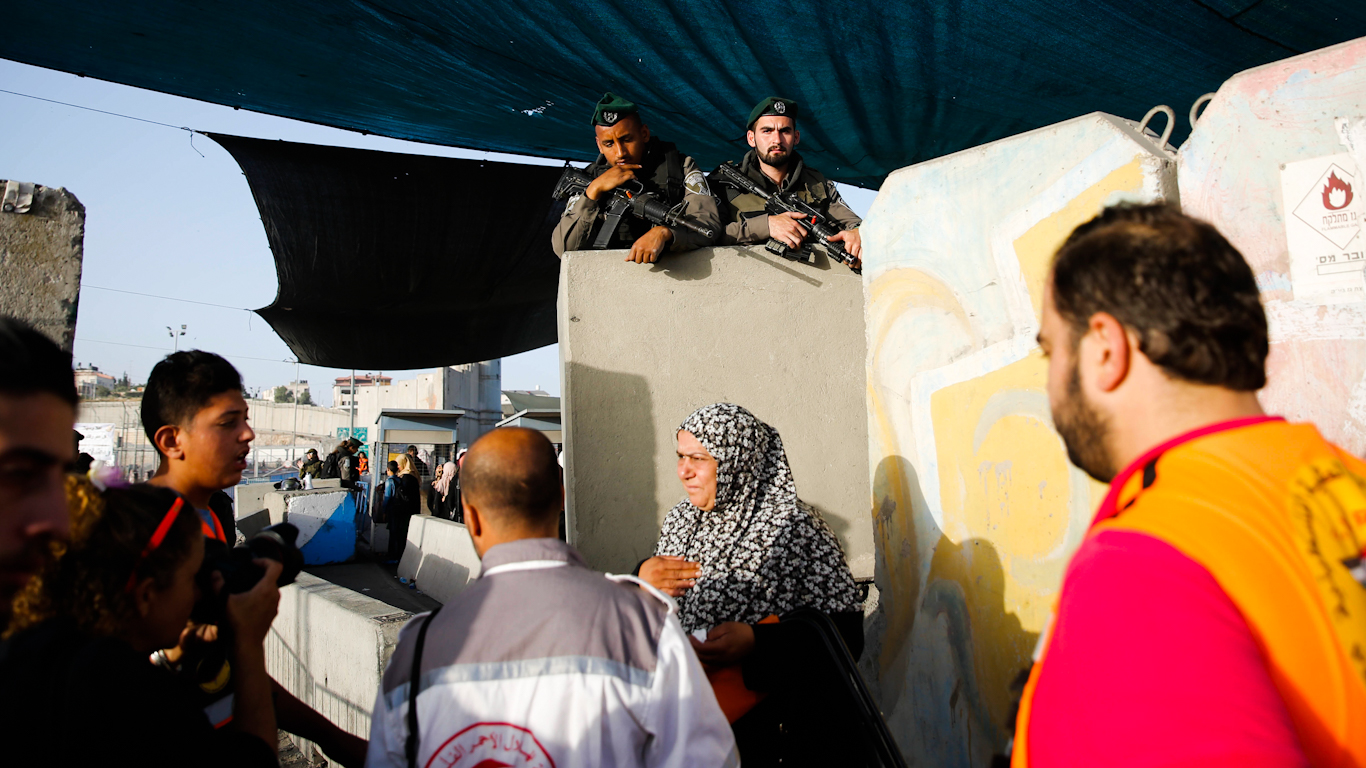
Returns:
point(778, 167)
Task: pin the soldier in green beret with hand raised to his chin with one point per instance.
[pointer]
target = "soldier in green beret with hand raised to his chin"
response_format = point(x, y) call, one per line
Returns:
point(628, 151)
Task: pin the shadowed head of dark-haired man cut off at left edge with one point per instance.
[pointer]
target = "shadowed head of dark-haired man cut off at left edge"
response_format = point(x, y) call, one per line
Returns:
point(38, 413)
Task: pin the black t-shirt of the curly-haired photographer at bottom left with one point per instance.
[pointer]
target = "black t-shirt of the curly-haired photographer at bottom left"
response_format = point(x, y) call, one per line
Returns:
point(74, 700)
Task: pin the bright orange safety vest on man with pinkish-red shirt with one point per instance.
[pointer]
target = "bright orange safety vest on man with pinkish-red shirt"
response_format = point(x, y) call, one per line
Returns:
point(1278, 516)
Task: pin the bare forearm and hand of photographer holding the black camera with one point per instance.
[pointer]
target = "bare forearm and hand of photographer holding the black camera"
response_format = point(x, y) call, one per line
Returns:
point(251, 616)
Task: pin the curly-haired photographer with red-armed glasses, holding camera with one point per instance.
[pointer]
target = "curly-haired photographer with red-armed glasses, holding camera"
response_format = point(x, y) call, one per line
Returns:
point(81, 691)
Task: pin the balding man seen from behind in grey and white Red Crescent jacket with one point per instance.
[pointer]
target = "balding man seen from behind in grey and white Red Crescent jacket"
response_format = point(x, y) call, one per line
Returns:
point(542, 651)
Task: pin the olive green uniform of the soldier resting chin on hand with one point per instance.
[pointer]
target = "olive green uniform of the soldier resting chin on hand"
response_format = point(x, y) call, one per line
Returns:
point(666, 173)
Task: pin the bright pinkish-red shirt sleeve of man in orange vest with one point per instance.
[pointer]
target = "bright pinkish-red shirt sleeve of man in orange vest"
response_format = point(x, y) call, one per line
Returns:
point(1152, 665)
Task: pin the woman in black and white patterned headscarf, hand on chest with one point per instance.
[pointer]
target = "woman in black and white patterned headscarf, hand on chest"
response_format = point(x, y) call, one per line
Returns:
point(740, 553)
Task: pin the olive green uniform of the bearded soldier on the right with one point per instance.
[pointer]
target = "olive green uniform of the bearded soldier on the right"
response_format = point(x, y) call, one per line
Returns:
point(747, 222)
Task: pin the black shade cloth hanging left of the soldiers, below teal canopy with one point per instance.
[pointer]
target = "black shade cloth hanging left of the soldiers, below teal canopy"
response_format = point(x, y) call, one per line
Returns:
point(393, 262)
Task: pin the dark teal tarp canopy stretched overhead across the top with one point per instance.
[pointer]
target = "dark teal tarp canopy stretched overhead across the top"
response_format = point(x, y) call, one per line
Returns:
point(882, 84)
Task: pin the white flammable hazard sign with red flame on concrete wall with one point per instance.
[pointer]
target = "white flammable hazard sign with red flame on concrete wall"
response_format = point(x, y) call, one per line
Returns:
point(1326, 208)
